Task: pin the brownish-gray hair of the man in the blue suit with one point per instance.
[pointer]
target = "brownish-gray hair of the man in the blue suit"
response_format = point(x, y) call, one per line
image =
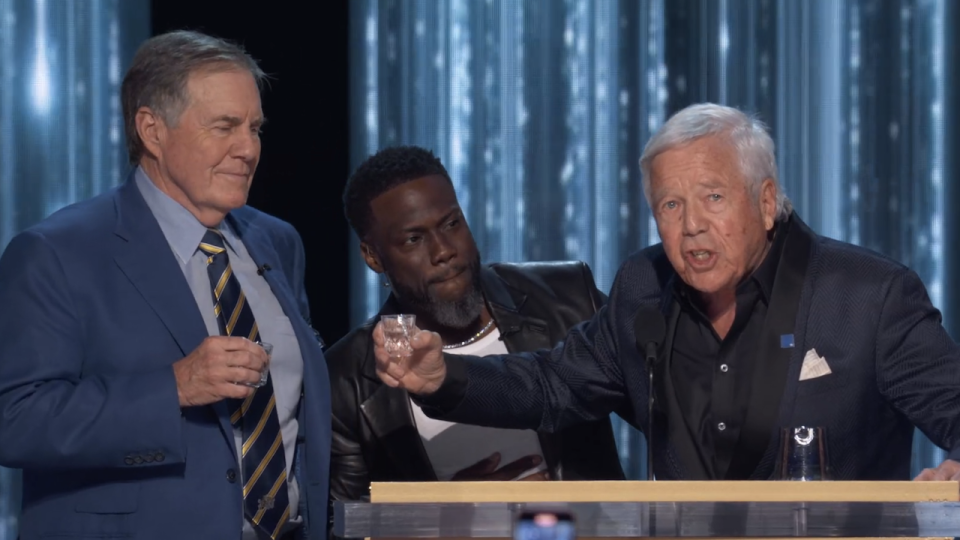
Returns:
point(158, 76)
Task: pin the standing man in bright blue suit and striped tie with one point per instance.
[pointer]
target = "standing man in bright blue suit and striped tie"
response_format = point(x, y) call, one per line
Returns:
point(136, 389)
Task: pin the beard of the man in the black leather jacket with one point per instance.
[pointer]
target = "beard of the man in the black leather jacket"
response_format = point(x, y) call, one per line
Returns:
point(456, 314)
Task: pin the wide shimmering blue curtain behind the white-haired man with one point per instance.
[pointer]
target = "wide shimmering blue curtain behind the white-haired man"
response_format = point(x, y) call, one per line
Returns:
point(540, 110)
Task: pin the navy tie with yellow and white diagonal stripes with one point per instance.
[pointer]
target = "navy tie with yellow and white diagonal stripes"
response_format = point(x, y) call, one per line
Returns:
point(265, 498)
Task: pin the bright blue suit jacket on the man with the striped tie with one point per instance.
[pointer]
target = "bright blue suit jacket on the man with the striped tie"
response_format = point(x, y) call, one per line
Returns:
point(96, 310)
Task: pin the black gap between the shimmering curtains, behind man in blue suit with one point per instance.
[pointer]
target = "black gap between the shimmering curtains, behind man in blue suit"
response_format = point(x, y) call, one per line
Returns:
point(305, 159)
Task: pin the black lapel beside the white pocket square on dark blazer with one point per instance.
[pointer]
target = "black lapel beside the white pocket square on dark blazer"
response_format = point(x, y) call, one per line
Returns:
point(767, 387)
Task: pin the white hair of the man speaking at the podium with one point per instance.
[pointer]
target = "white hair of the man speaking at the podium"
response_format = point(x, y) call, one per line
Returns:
point(746, 133)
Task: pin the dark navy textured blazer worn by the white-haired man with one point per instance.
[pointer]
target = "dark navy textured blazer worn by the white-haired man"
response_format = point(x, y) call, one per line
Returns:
point(894, 366)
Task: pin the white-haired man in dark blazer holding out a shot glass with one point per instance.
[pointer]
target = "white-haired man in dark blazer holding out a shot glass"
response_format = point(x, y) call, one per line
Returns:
point(768, 327)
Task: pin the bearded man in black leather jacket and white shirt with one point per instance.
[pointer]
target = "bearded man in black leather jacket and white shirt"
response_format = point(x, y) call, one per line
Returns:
point(402, 205)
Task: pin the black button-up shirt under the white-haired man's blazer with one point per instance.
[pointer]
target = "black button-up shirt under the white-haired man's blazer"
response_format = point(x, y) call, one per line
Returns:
point(712, 376)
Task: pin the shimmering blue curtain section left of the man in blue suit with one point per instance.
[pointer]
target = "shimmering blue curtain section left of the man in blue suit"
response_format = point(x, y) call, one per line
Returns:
point(61, 132)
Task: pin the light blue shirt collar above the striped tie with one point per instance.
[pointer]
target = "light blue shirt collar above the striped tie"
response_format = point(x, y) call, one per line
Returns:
point(181, 228)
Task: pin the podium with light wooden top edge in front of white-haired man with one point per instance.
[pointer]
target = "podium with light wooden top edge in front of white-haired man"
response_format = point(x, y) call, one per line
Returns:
point(668, 509)
